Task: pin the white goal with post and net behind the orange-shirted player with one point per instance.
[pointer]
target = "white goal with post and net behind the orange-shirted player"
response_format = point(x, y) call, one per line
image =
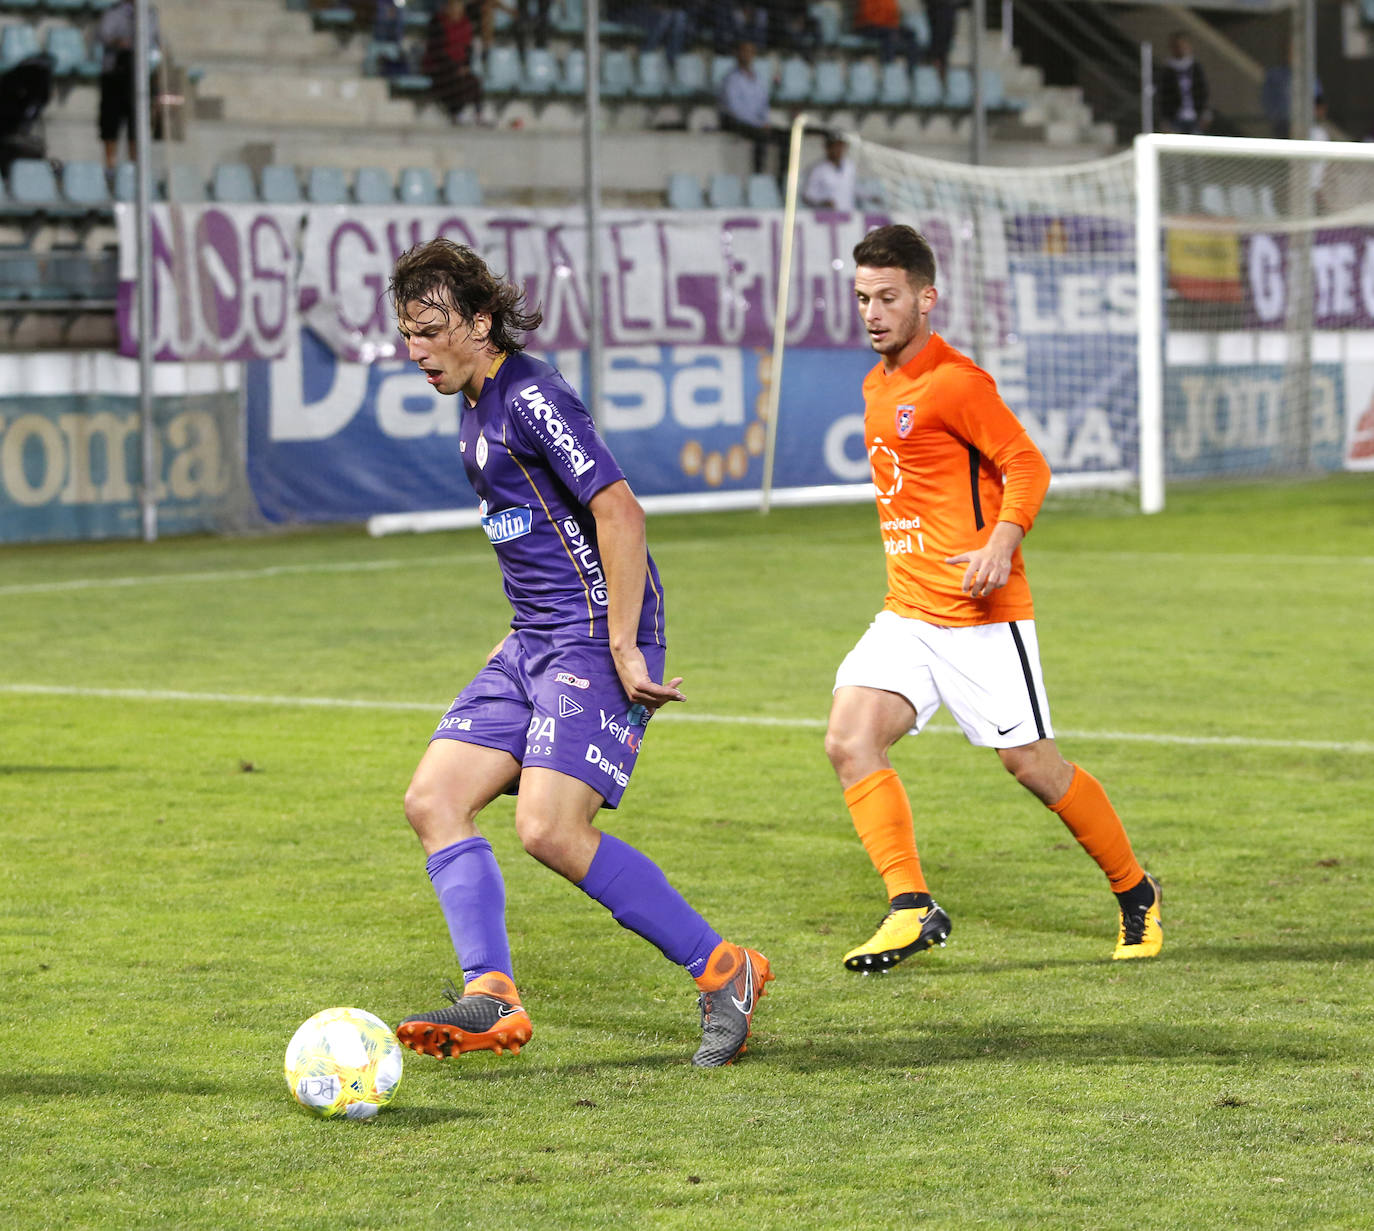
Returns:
point(1196, 308)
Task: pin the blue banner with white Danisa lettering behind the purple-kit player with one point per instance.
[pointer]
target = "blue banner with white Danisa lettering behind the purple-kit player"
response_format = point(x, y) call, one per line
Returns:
point(336, 440)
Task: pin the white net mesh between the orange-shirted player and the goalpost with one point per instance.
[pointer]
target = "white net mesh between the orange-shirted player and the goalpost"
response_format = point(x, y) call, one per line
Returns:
point(1037, 278)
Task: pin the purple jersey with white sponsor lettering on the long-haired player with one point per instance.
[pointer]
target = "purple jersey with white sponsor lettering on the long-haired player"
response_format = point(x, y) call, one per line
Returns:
point(535, 460)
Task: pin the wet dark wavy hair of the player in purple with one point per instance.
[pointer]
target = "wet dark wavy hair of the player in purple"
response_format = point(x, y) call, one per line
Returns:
point(446, 275)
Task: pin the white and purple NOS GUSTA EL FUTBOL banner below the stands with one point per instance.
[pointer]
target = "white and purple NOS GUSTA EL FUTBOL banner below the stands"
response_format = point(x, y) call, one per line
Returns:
point(240, 281)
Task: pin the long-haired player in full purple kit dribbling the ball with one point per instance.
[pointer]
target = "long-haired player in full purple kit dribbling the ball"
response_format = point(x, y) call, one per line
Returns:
point(559, 714)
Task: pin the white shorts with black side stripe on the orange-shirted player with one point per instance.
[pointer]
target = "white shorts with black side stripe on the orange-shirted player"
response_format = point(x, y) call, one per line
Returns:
point(987, 677)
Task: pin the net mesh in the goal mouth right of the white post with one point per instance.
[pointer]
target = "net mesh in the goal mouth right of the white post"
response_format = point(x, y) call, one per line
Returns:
point(1268, 253)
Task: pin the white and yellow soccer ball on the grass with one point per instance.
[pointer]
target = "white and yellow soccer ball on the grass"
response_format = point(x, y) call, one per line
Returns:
point(344, 1063)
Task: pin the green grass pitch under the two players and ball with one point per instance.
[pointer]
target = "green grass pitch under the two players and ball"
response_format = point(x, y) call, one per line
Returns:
point(204, 747)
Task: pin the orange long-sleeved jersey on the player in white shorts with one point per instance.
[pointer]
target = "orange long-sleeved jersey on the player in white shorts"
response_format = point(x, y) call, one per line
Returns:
point(949, 461)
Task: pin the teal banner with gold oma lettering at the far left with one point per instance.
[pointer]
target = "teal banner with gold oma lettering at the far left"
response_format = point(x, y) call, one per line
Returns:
point(71, 466)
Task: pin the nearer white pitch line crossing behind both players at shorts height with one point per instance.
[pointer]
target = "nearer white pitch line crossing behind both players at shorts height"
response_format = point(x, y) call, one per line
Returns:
point(677, 715)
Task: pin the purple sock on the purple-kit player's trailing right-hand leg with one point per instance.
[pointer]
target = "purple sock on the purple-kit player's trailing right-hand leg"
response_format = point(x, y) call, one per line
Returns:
point(640, 898)
